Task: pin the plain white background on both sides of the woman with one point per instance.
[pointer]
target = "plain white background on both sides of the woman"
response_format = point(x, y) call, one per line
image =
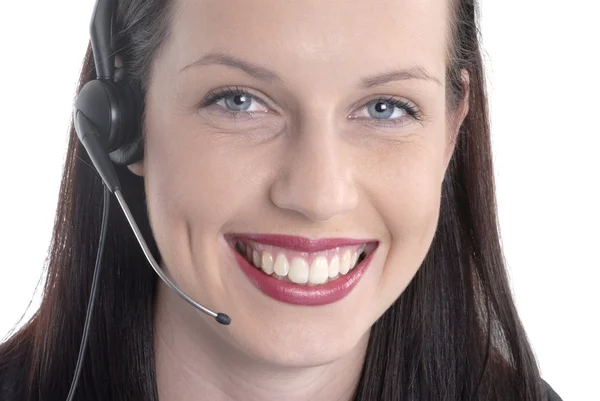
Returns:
point(544, 71)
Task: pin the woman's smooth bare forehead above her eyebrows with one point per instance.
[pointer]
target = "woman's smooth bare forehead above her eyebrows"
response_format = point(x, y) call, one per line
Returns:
point(297, 37)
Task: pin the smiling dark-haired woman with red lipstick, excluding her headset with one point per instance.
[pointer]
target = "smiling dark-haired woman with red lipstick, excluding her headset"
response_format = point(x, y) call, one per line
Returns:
point(321, 172)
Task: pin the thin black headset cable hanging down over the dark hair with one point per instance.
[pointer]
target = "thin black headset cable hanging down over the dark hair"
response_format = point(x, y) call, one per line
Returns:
point(88, 317)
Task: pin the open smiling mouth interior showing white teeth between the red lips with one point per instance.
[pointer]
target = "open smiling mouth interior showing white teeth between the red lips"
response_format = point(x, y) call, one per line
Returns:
point(305, 268)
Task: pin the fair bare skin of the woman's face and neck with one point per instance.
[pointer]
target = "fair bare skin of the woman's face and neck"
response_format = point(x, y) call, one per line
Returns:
point(298, 166)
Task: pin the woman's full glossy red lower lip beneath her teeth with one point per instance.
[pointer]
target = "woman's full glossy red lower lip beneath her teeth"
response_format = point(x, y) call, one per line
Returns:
point(297, 294)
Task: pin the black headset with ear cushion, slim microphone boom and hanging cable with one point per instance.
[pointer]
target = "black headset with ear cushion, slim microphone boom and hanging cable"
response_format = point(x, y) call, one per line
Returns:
point(107, 116)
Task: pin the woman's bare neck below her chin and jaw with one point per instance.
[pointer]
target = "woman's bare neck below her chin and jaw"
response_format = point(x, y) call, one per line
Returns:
point(193, 359)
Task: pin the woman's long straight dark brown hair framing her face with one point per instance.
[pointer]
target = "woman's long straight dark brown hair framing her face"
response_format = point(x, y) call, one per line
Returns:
point(453, 334)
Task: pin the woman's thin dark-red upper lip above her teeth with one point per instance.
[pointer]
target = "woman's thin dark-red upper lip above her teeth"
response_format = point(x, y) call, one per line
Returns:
point(300, 244)
